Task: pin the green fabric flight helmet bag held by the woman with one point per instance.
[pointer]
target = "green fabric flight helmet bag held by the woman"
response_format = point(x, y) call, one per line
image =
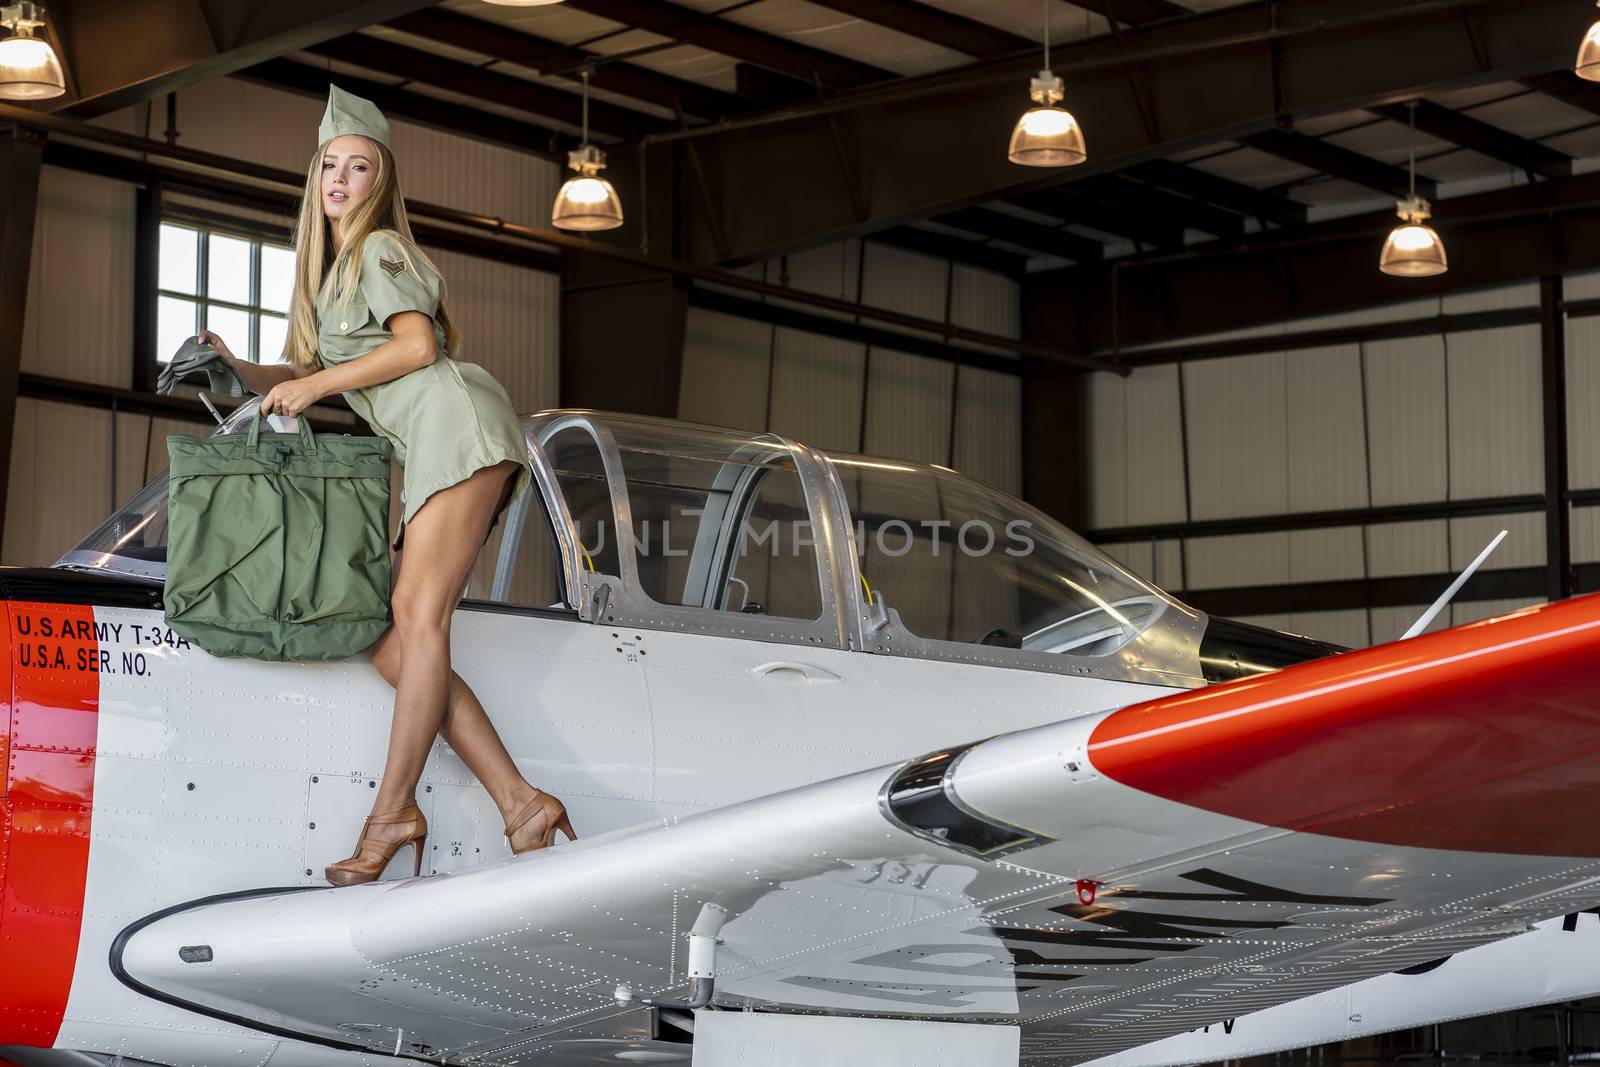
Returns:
point(278, 543)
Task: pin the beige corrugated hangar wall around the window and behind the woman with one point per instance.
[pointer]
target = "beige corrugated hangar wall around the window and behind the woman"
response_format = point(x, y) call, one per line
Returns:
point(81, 298)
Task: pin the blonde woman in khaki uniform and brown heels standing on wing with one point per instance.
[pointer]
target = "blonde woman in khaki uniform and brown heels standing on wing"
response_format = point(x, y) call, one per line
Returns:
point(369, 321)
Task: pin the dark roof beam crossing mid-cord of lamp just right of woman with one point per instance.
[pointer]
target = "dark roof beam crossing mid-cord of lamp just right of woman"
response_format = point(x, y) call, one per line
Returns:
point(415, 65)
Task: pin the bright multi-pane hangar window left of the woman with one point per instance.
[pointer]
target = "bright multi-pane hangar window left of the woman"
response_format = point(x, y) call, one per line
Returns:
point(228, 282)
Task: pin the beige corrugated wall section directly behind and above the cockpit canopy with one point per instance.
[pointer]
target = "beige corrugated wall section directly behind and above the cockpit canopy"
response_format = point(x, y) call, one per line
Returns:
point(850, 398)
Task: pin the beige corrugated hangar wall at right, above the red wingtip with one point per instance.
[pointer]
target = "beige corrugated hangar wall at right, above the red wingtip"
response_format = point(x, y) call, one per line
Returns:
point(1406, 422)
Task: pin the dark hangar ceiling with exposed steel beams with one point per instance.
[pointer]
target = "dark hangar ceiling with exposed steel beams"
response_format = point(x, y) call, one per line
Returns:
point(1209, 122)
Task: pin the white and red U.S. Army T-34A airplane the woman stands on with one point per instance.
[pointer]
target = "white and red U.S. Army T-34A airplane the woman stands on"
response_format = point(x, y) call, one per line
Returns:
point(870, 762)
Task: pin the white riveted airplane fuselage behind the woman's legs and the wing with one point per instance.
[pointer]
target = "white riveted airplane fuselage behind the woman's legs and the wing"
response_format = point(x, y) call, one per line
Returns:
point(217, 777)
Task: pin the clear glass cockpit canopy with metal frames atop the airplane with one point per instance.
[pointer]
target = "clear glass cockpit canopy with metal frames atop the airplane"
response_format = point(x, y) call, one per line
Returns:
point(750, 535)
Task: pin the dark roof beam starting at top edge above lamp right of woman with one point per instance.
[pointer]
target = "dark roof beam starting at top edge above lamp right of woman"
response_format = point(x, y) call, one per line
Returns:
point(740, 42)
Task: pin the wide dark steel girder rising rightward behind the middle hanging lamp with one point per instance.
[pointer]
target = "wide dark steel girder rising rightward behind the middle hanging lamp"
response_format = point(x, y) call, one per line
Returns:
point(929, 145)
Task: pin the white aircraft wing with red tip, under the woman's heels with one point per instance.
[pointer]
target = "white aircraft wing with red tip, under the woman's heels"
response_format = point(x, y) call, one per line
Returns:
point(1102, 882)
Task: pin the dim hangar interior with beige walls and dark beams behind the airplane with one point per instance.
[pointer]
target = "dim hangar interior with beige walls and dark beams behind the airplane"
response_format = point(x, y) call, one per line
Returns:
point(1210, 377)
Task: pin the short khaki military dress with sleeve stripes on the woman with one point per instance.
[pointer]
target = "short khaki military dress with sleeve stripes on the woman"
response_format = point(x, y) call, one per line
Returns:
point(446, 420)
